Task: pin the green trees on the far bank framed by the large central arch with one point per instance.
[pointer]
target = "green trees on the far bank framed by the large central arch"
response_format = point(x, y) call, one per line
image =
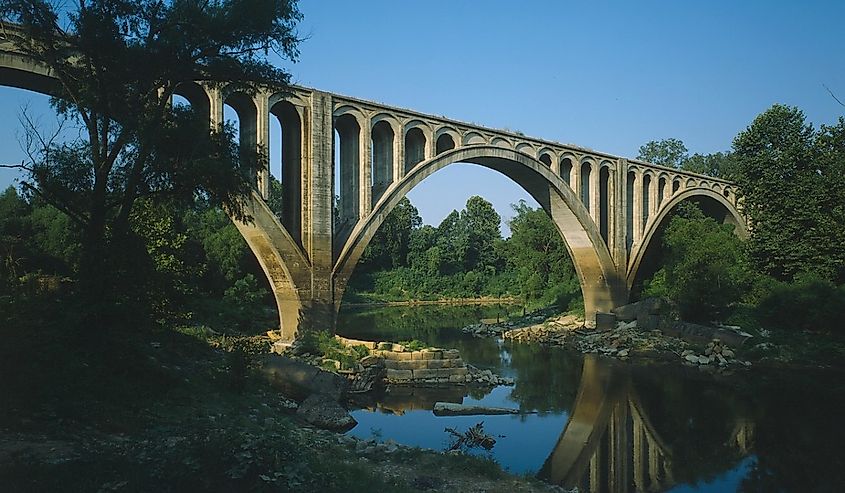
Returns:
point(467, 257)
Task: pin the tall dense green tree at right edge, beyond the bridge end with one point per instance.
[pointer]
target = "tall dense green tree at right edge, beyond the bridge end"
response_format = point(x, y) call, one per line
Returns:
point(790, 181)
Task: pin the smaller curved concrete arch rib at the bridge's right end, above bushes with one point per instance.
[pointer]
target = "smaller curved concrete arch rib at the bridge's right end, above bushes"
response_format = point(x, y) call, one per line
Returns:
point(732, 216)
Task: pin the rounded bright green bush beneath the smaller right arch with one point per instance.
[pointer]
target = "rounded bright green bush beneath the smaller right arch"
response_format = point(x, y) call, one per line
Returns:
point(706, 270)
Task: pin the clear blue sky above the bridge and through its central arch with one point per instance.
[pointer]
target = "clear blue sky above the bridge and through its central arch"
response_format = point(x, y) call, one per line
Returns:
point(605, 75)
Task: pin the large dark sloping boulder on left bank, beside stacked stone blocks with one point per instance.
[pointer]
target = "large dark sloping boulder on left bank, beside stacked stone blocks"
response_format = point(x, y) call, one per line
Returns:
point(299, 380)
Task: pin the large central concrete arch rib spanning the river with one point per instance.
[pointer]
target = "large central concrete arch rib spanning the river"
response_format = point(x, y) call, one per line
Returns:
point(601, 285)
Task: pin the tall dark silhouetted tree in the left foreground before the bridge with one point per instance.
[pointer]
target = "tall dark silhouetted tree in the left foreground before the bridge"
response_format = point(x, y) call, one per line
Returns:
point(117, 64)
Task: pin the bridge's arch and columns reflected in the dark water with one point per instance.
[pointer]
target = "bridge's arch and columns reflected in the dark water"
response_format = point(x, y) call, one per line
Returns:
point(610, 445)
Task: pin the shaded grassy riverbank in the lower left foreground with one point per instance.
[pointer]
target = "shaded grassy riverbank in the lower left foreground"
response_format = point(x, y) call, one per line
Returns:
point(184, 410)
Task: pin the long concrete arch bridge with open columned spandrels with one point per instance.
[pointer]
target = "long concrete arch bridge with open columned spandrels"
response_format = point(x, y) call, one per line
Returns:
point(607, 208)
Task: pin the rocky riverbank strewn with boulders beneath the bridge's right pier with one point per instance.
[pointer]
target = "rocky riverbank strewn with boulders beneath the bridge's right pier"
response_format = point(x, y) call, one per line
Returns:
point(709, 347)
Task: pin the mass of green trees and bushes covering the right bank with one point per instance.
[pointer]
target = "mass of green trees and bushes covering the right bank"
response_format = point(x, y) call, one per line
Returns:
point(790, 275)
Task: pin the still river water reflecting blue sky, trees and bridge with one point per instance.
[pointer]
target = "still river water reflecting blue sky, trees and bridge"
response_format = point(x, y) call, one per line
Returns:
point(602, 425)
